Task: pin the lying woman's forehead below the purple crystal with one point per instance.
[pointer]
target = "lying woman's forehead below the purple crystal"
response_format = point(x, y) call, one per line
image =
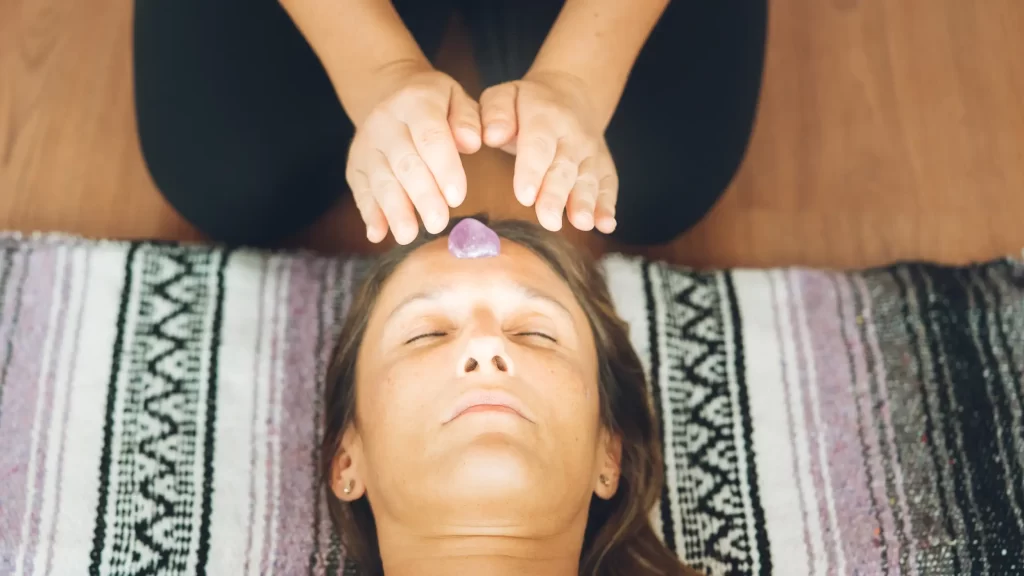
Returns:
point(516, 269)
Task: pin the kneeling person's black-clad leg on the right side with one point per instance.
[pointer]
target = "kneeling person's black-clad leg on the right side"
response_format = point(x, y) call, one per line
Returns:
point(686, 118)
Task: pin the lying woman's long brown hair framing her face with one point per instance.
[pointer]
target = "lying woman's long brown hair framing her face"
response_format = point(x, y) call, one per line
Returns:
point(619, 538)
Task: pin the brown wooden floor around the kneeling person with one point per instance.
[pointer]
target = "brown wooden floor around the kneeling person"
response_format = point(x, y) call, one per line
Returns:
point(888, 131)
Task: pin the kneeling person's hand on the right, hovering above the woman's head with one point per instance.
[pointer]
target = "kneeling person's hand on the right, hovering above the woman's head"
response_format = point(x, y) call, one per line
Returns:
point(563, 162)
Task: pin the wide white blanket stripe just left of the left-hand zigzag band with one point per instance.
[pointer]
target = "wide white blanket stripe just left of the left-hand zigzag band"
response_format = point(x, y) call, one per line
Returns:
point(80, 484)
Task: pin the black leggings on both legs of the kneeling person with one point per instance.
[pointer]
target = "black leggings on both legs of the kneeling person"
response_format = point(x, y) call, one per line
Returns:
point(244, 135)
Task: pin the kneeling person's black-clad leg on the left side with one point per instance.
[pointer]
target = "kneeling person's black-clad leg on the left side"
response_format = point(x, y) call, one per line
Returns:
point(239, 125)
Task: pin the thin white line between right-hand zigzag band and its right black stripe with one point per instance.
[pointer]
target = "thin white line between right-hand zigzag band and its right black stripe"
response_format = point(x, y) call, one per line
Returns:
point(730, 339)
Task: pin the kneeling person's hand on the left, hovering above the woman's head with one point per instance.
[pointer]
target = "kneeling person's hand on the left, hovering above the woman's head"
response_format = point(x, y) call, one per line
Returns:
point(405, 157)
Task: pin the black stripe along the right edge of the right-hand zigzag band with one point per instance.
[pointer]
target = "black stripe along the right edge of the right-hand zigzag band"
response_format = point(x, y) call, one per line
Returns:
point(760, 528)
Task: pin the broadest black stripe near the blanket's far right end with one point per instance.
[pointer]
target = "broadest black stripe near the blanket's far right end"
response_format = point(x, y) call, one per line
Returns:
point(987, 419)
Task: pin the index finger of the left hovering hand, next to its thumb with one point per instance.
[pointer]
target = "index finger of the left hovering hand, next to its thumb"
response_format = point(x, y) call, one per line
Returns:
point(433, 138)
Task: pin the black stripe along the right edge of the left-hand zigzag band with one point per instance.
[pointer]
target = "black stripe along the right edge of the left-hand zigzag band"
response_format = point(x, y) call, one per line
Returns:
point(211, 419)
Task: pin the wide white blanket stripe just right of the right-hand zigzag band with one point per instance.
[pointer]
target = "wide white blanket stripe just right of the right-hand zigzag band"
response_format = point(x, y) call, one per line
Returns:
point(773, 448)
